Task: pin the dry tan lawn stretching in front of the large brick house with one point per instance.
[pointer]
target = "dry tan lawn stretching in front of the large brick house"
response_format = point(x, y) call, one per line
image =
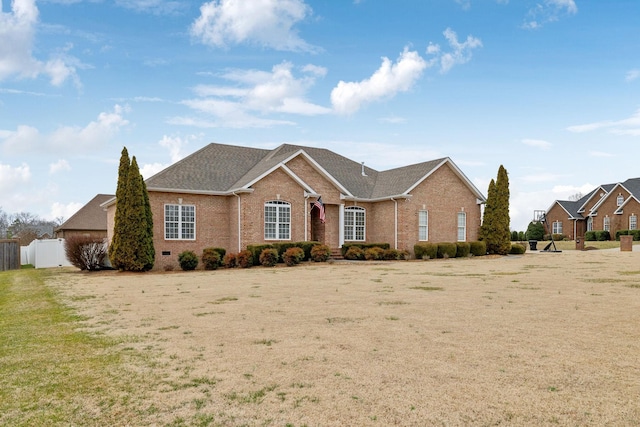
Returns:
point(539, 339)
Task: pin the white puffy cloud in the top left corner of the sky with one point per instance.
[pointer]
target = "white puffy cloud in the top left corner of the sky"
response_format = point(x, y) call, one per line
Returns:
point(16, 59)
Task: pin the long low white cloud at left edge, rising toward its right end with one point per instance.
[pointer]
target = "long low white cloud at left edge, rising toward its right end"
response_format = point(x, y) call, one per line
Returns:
point(92, 136)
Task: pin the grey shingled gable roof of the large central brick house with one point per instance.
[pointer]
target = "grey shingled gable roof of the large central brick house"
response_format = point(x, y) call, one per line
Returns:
point(225, 169)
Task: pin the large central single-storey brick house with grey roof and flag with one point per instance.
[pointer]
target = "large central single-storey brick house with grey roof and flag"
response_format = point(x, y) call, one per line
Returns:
point(232, 196)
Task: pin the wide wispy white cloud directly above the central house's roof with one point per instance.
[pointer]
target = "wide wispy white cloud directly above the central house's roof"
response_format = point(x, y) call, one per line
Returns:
point(255, 92)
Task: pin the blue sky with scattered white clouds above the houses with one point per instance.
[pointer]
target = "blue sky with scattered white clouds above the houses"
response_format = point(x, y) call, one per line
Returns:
point(549, 88)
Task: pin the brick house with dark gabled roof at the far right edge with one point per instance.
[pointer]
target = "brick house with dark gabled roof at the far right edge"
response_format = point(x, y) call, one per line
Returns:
point(610, 207)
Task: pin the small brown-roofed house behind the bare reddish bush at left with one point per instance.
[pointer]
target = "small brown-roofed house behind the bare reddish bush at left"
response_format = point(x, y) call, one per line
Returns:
point(90, 220)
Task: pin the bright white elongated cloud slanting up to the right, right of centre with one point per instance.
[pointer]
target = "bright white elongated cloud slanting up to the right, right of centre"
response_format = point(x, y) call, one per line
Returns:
point(386, 82)
